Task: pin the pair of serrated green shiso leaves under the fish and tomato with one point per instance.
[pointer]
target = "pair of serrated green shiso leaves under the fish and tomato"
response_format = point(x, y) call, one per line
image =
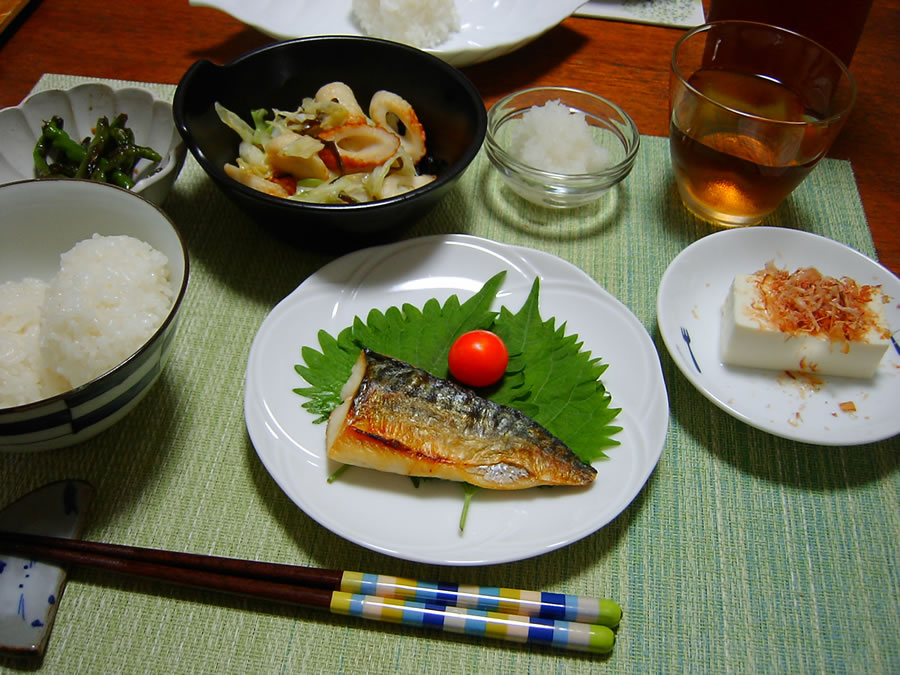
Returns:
point(549, 378)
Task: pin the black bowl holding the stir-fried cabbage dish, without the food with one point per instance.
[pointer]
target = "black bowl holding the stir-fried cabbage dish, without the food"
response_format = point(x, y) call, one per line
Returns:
point(282, 74)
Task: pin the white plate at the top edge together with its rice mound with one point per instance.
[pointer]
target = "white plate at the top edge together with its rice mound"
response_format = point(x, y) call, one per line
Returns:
point(461, 32)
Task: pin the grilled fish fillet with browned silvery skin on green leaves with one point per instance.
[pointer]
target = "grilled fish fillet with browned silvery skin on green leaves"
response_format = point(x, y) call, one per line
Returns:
point(398, 418)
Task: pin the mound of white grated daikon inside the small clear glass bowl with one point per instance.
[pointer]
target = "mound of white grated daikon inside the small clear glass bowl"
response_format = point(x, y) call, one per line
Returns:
point(551, 138)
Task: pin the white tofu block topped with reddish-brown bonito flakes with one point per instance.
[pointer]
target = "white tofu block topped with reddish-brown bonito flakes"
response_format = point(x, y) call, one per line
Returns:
point(804, 321)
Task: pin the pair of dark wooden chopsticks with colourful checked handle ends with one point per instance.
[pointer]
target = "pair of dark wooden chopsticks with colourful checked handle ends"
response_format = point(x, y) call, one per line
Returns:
point(558, 620)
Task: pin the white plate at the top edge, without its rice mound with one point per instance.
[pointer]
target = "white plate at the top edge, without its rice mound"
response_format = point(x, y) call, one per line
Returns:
point(488, 29)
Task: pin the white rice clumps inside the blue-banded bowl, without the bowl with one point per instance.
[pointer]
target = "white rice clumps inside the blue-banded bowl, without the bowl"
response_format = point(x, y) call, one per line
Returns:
point(108, 297)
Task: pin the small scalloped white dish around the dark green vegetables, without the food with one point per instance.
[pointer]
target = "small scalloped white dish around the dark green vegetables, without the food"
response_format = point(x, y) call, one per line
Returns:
point(149, 117)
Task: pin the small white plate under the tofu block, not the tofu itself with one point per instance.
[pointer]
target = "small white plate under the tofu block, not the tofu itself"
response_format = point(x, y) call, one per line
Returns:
point(691, 294)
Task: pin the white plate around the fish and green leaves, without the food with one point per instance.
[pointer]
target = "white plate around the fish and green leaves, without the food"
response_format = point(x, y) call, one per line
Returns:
point(384, 512)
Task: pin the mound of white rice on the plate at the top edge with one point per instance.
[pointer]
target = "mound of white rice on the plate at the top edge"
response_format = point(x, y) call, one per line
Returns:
point(421, 23)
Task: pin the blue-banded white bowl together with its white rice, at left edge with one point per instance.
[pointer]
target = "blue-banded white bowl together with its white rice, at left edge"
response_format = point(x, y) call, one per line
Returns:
point(91, 280)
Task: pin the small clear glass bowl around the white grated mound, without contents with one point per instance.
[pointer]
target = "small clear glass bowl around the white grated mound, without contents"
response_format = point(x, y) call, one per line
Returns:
point(611, 127)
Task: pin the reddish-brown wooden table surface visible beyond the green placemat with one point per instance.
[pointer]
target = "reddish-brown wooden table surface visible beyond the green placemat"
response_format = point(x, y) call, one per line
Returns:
point(157, 41)
